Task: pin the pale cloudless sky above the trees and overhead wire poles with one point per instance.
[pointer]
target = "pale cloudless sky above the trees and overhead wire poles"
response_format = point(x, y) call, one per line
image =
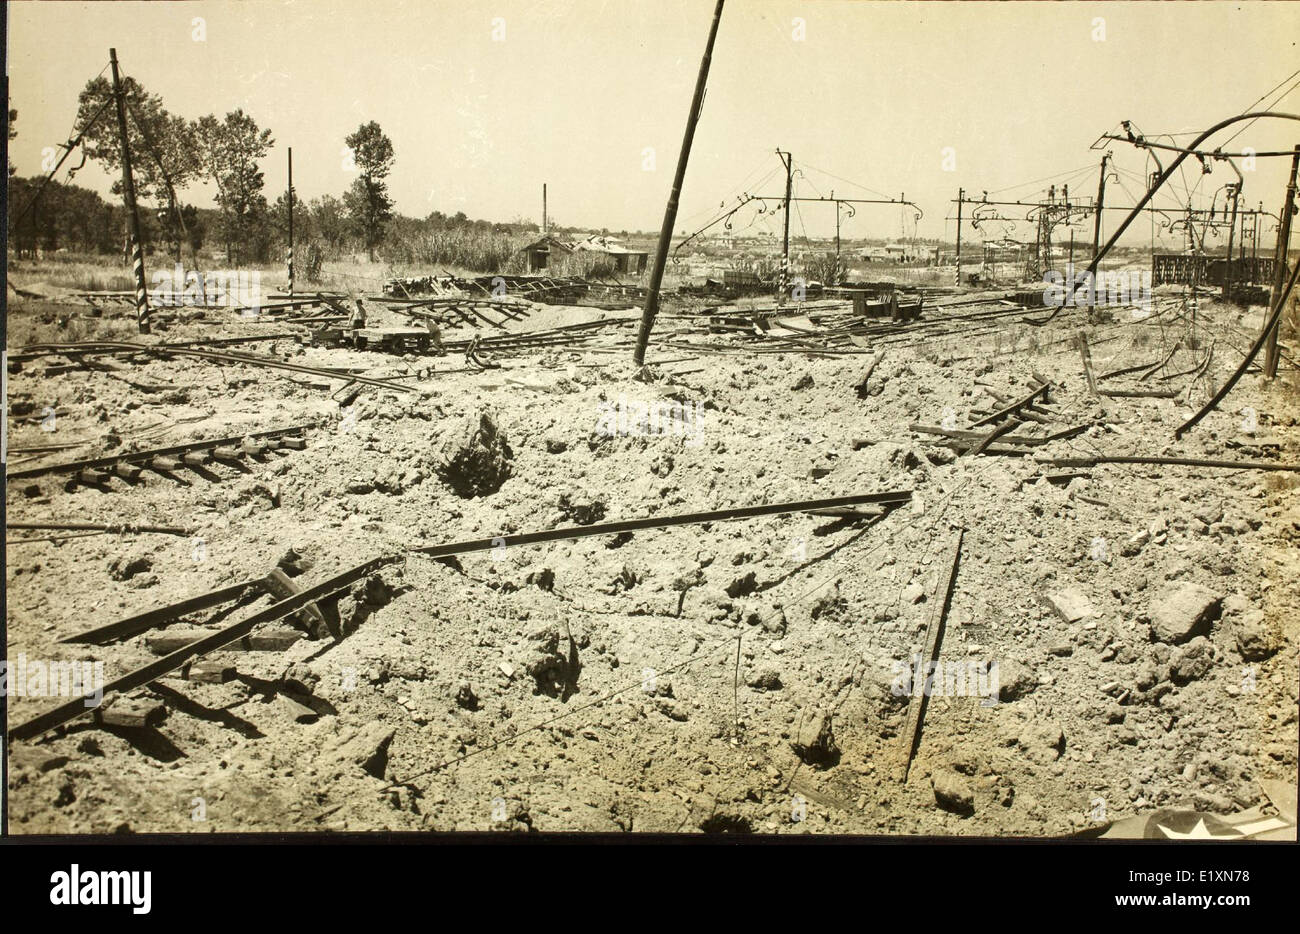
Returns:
point(486, 102)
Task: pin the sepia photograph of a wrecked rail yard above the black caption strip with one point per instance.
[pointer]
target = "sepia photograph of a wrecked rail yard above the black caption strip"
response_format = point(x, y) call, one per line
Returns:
point(859, 421)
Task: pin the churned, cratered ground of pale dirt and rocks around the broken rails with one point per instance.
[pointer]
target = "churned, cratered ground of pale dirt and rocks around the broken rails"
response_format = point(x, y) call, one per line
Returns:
point(1142, 621)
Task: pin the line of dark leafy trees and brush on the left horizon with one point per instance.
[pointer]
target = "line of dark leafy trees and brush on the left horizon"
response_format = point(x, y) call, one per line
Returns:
point(172, 154)
